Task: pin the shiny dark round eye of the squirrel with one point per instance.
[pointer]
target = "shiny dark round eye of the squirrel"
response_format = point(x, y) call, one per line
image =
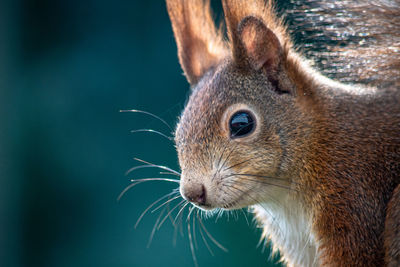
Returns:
point(241, 124)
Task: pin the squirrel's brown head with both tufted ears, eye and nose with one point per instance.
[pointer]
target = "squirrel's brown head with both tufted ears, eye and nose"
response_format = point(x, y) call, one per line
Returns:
point(239, 127)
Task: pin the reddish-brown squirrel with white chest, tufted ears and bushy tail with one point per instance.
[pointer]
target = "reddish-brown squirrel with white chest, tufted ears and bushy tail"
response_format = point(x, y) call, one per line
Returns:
point(316, 159)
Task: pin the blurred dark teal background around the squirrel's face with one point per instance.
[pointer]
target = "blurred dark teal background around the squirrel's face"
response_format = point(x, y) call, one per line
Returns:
point(67, 68)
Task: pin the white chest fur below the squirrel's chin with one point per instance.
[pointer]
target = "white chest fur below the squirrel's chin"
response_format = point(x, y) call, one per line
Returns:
point(285, 225)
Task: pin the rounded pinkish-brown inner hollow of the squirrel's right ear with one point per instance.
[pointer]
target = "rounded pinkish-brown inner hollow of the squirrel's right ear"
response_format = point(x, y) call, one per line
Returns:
point(260, 45)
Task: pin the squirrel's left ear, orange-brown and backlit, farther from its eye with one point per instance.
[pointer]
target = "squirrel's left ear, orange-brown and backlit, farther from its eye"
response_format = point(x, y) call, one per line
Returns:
point(200, 45)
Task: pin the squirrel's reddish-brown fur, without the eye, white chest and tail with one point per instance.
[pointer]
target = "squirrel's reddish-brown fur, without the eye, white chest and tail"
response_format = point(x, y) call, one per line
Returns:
point(336, 147)
